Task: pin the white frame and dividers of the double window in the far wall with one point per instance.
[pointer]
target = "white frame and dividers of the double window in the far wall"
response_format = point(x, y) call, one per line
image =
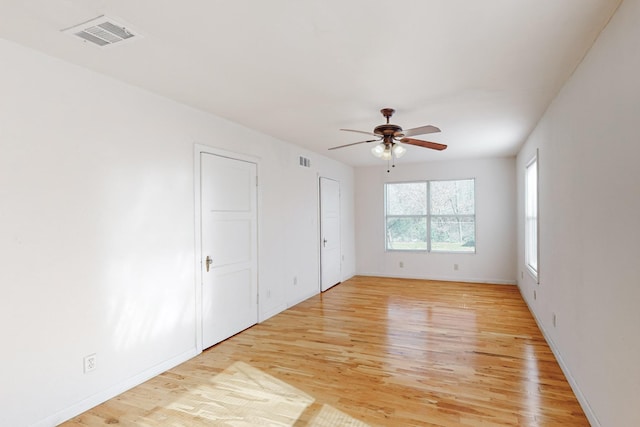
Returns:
point(428, 216)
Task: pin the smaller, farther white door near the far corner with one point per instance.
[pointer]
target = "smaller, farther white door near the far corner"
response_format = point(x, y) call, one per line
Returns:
point(330, 256)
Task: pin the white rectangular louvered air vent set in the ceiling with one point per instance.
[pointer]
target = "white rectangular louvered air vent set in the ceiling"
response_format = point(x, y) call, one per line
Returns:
point(103, 31)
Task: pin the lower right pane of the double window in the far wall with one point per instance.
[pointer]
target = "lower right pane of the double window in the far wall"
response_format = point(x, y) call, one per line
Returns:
point(453, 234)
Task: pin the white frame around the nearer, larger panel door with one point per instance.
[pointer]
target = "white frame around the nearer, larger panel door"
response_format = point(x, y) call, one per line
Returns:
point(199, 149)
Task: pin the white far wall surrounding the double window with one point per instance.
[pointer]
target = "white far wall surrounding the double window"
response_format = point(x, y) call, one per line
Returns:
point(494, 260)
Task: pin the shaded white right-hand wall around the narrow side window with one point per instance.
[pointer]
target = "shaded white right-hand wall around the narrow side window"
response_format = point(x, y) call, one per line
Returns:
point(589, 200)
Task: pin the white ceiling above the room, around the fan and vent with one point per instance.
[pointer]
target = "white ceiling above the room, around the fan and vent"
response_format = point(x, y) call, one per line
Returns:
point(483, 71)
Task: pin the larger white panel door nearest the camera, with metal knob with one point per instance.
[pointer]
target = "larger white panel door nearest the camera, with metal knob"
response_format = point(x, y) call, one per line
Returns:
point(229, 247)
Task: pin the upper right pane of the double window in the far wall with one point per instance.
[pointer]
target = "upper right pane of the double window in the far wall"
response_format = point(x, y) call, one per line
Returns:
point(452, 197)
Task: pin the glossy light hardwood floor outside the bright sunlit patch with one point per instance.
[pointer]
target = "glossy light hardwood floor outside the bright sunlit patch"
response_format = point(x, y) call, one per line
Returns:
point(387, 352)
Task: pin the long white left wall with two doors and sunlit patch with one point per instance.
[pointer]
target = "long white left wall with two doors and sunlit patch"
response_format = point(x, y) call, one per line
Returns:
point(97, 232)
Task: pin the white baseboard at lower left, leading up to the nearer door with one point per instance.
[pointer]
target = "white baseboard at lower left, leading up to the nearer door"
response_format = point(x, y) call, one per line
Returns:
point(111, 392)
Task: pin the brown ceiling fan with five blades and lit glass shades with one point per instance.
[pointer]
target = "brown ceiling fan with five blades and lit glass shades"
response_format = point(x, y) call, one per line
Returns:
point(389, 136)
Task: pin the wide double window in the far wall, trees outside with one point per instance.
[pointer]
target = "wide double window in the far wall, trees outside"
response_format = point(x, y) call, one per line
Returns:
point(431, 216)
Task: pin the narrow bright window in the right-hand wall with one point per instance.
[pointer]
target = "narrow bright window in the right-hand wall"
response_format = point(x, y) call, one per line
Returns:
point(531, 217)
